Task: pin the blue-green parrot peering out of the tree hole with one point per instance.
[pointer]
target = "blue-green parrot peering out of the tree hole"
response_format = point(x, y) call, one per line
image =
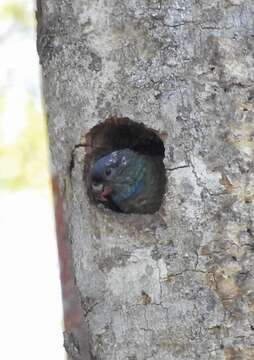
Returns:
point(129, 182)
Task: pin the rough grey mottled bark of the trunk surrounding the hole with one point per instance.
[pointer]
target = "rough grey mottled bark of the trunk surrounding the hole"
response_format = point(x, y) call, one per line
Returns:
point(178, 284)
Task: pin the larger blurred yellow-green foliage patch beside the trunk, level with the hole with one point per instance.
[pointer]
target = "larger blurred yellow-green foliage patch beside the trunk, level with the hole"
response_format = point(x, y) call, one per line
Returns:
point(25, 162)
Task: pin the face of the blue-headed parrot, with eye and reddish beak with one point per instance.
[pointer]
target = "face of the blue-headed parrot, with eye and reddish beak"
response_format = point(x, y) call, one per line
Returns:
point(104, 173)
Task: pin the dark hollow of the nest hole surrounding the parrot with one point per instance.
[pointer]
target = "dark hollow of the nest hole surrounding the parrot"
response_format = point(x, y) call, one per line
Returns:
point(122, 133)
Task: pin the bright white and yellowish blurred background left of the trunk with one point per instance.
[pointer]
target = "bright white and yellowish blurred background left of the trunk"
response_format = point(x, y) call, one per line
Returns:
point(31, 308)
